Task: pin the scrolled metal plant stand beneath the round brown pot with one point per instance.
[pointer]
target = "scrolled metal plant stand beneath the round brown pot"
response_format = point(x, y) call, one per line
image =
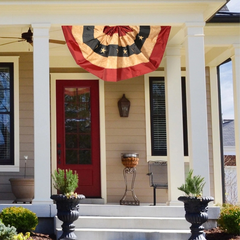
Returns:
point(132, 199)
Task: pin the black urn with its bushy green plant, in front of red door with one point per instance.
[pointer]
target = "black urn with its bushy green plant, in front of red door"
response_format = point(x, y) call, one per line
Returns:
point(67, 201)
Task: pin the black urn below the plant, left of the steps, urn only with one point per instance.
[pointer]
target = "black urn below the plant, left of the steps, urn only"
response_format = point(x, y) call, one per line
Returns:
point(67, 212)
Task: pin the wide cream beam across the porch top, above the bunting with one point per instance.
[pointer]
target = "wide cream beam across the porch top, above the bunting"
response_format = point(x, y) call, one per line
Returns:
point(124, 12)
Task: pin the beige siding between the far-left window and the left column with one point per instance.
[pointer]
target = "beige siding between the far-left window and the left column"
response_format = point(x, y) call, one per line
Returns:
point(25, 124)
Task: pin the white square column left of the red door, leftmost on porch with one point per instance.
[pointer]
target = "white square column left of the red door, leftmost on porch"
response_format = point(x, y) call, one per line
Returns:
point(42, 174)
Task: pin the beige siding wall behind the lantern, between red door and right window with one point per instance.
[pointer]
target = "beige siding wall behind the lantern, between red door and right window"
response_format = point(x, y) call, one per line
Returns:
point(127, 135)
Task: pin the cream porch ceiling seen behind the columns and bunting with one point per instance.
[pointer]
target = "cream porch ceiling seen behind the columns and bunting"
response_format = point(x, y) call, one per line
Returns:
point(217, 46)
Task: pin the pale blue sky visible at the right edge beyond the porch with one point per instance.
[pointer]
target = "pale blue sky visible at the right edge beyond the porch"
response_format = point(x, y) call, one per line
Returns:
point(226, 76)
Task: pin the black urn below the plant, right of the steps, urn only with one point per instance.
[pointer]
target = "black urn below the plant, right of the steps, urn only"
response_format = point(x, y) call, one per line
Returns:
point(196, 213)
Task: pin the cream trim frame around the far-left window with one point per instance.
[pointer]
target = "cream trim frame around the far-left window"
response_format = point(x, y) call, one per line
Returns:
point(15, 90)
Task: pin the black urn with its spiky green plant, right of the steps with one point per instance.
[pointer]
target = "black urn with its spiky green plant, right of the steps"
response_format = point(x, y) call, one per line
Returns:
point(196, 206)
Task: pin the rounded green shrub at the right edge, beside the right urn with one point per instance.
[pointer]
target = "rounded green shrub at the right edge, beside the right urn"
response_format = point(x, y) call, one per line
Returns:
point(229, 219)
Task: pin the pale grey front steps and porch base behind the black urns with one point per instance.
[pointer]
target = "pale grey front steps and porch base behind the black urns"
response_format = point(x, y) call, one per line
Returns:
point(119, 222)
